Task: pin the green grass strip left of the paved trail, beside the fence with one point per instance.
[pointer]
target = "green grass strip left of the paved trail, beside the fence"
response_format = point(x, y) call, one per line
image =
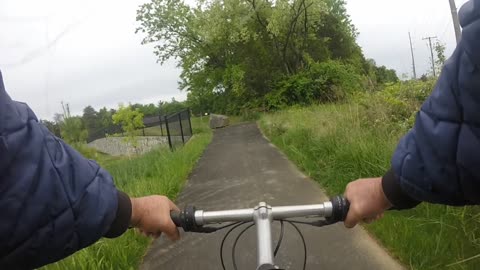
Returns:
point(157, 172)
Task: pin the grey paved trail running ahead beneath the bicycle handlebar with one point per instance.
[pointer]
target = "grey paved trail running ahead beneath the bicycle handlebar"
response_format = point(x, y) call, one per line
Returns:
point(239, 169)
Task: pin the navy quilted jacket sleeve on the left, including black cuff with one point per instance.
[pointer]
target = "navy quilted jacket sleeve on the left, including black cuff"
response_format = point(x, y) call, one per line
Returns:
point(53, 201)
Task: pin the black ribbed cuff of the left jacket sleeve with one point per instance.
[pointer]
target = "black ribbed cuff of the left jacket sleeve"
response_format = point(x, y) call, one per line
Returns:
point(122, 219)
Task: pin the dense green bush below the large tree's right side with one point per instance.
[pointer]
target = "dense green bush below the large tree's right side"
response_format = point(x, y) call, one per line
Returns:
point(320, 82)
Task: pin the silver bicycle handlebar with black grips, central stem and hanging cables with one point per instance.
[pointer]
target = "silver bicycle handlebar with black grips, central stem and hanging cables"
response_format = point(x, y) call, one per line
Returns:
point(193, 220)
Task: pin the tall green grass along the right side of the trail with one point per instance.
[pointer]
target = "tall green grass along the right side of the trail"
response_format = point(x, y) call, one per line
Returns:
point(334, 145)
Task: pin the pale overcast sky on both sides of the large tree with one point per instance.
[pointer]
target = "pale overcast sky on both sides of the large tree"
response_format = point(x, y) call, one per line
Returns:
point(86, 52)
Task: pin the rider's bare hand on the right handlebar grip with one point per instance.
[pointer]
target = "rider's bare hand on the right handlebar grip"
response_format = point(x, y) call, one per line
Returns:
point(367, 201)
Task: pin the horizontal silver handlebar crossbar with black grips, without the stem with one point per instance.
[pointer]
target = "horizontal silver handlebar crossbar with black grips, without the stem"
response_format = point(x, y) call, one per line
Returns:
point(193, 220)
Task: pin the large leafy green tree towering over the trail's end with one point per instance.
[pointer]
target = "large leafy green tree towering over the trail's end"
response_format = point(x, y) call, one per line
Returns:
point(234, 52)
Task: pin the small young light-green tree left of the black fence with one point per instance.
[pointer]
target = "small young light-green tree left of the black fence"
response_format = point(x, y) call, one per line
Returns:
point(131, 120)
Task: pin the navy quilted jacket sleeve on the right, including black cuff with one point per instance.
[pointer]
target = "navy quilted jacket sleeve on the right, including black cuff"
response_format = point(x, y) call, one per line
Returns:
point(438, 161)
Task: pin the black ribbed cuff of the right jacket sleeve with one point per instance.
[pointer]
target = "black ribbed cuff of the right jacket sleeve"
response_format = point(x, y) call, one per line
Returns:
point(395, 194)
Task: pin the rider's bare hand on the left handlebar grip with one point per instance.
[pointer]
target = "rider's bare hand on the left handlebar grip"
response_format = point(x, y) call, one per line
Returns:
point(151, 216)
